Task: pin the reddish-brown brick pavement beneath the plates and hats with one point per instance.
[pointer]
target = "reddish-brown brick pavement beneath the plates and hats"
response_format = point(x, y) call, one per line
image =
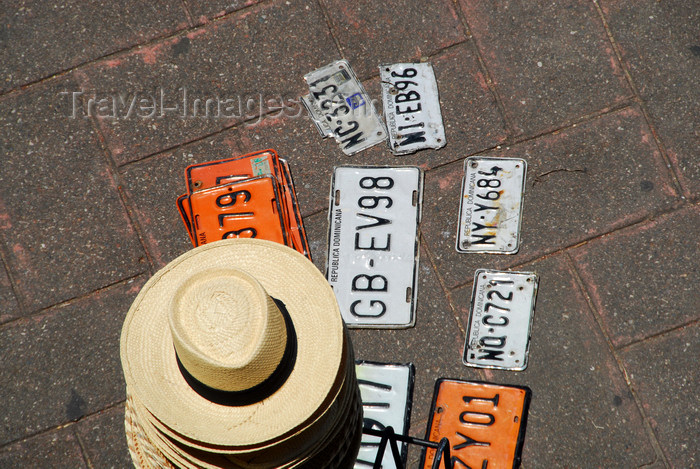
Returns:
point(601, 97)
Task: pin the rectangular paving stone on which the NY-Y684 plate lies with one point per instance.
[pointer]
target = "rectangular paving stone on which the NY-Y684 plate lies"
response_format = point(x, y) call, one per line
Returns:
point(581, 182)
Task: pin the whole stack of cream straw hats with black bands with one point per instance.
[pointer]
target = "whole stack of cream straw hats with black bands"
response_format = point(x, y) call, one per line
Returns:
point(235, 356)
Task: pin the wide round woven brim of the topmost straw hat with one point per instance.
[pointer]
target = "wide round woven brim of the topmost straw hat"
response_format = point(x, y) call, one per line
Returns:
point(149, 360)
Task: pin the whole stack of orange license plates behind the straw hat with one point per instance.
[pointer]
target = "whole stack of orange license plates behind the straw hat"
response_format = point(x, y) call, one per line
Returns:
point(249, 196)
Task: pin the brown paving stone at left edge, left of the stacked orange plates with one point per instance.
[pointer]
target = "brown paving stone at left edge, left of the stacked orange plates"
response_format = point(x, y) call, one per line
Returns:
point(65, 227)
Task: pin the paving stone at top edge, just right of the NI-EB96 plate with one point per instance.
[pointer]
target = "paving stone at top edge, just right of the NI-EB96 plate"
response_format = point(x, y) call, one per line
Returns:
point(551, 61)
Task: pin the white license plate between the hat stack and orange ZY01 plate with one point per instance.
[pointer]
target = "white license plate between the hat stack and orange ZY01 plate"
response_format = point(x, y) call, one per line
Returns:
point(387, 392)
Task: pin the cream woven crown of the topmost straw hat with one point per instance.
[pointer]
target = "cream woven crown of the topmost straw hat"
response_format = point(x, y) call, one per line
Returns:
point(227, 331)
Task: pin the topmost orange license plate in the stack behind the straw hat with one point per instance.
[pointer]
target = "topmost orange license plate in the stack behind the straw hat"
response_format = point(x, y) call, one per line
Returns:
point(245, 209)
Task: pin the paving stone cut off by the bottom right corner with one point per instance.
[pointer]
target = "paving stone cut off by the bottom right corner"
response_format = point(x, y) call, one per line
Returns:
point(664, 373)
